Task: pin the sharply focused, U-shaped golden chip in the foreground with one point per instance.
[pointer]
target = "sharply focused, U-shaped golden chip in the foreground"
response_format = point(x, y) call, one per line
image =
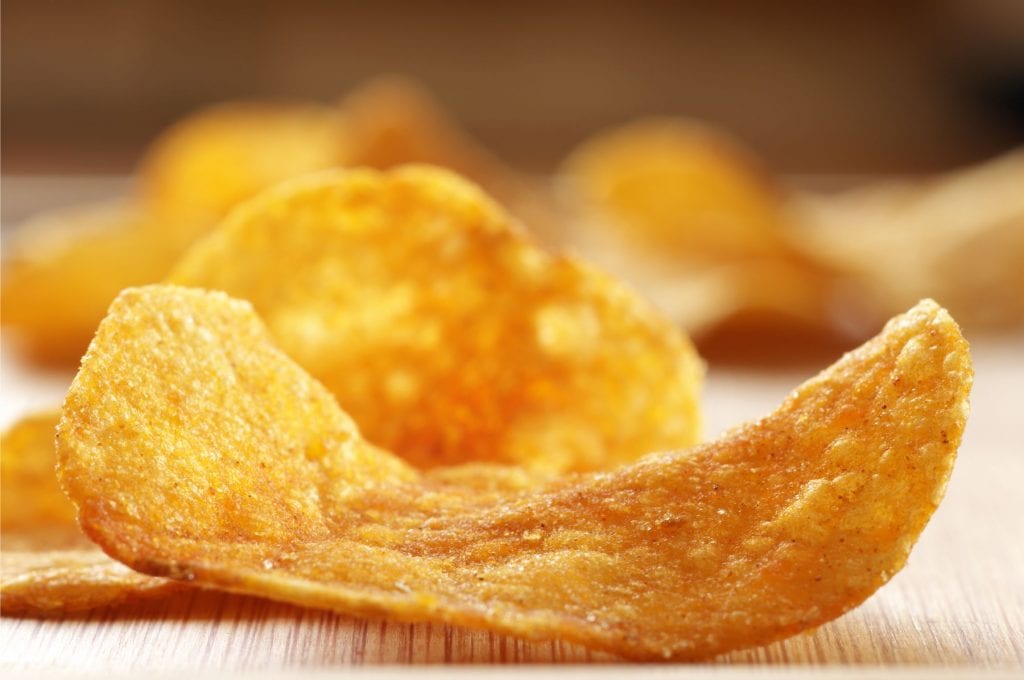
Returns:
point(196, 450)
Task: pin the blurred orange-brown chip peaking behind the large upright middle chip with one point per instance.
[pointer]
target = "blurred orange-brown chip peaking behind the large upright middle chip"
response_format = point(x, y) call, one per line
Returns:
point(394, 121)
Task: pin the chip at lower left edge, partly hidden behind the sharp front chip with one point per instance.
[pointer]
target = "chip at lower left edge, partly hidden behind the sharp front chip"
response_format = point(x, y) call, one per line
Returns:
point(48, 566)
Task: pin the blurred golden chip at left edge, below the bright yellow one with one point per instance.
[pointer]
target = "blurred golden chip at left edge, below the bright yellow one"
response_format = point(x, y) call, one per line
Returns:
point(66, 268)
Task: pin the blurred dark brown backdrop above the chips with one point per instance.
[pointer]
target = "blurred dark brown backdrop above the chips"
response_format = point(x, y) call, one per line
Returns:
point(868, 88)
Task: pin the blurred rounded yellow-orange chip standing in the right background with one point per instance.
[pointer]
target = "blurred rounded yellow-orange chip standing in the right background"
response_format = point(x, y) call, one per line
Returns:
point(679, 185)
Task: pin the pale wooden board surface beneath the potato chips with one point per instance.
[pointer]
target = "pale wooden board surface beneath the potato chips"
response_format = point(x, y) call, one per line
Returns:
point(959, 604)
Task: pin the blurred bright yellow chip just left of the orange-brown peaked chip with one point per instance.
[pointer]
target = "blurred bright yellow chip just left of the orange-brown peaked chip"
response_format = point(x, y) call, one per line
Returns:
point(204, 165)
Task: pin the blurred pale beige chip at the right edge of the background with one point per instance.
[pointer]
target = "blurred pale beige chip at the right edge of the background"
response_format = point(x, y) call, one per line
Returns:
point(958, 238)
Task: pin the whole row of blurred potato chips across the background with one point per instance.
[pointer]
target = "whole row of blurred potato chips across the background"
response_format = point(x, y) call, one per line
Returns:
point(676, 208)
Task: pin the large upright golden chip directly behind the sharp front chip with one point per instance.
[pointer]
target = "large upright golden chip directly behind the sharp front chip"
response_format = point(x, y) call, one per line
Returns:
point(445, 332)
